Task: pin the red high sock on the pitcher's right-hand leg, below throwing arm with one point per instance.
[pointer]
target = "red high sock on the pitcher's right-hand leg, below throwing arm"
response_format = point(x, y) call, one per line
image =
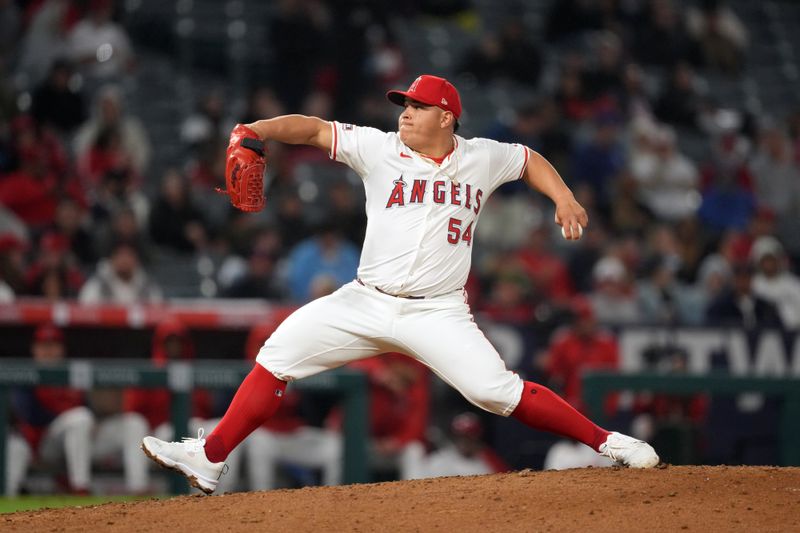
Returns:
point(540, 408)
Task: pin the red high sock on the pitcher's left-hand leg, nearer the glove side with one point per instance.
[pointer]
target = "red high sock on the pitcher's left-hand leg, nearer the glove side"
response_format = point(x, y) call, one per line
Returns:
point(257, 399)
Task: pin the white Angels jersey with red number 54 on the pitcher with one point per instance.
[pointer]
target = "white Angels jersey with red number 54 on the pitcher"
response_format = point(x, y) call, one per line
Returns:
point(421, 216)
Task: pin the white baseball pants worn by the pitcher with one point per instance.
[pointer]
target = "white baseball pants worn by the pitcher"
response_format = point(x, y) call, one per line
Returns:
point(357, 321)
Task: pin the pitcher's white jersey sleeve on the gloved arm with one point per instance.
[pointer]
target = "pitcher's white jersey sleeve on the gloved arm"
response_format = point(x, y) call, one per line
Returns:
point(358, 147)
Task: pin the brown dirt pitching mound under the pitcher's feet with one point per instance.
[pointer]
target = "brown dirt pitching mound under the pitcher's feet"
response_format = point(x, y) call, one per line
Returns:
point(600, 499)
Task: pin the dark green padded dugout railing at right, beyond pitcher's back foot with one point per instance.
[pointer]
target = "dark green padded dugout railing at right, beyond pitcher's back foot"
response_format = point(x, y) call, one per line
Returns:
point(596, 385)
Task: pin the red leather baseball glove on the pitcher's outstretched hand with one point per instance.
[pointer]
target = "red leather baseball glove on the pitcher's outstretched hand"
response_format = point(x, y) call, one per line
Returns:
point(244, 170)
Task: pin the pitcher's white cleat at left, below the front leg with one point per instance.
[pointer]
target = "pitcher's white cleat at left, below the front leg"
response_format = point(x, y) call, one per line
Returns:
point(188, 458)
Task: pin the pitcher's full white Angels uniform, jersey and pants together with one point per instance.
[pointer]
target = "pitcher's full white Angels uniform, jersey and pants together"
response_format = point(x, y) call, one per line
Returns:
point(421, 223)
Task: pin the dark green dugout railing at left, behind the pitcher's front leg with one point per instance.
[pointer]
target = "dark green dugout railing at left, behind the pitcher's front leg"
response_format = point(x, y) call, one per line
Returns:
point(181, 378)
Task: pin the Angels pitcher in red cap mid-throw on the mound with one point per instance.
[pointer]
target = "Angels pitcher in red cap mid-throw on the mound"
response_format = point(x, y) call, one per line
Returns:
point(425, 187)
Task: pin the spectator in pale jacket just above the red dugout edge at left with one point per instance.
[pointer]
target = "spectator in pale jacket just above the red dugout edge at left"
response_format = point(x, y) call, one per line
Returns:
point(120, 279)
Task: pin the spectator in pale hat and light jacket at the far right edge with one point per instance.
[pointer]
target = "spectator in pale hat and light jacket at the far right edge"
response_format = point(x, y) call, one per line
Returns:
point(774, 282)
